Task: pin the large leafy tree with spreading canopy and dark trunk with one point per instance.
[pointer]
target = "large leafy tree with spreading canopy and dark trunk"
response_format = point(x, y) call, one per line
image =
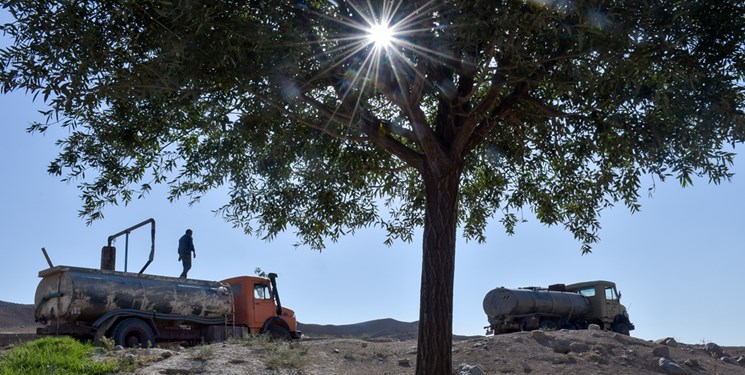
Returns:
point(328, 116)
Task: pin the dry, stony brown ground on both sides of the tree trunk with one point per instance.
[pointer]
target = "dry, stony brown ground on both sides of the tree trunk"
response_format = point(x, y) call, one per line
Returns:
point(554, 352)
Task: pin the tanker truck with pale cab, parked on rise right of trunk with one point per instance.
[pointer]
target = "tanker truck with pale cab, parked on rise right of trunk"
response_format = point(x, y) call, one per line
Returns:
point(573, 306)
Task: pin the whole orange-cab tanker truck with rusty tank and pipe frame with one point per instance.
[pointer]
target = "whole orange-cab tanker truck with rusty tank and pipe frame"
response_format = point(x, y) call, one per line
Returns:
point(138, 309)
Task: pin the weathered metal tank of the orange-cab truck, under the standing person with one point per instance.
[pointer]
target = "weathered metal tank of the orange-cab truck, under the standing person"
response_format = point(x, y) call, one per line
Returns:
point(71, 294)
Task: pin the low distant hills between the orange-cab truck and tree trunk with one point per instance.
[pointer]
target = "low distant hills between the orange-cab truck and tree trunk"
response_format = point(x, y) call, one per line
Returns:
point(381, 328)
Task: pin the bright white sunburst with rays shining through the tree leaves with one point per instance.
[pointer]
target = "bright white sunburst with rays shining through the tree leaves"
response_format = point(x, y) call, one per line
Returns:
point(376, 47)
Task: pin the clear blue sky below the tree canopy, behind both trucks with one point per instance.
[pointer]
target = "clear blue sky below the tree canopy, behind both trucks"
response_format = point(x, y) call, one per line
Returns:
point(679, 262)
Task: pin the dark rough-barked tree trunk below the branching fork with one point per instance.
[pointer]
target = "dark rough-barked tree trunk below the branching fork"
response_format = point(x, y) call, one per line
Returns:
point(434, 347)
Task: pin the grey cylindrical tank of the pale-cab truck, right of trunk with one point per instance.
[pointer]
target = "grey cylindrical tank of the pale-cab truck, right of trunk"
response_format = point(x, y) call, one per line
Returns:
point(502, 302)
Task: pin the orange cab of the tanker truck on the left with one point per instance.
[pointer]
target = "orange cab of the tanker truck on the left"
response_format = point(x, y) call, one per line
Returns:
point(257, 306)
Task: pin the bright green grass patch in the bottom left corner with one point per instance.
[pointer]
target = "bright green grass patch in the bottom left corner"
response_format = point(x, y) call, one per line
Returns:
point(57, 356)
